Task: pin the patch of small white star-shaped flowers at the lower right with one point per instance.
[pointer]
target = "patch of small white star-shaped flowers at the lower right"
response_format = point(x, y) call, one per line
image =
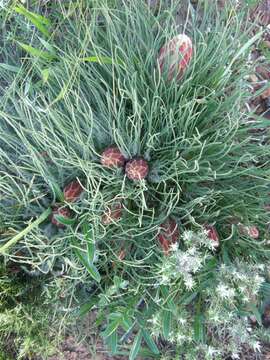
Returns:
point(228, 333)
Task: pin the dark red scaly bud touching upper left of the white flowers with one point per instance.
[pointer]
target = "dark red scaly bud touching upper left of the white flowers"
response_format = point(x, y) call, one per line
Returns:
point(169, 234)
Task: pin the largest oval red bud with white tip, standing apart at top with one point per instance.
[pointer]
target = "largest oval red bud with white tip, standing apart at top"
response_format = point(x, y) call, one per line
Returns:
point(175, 56)
